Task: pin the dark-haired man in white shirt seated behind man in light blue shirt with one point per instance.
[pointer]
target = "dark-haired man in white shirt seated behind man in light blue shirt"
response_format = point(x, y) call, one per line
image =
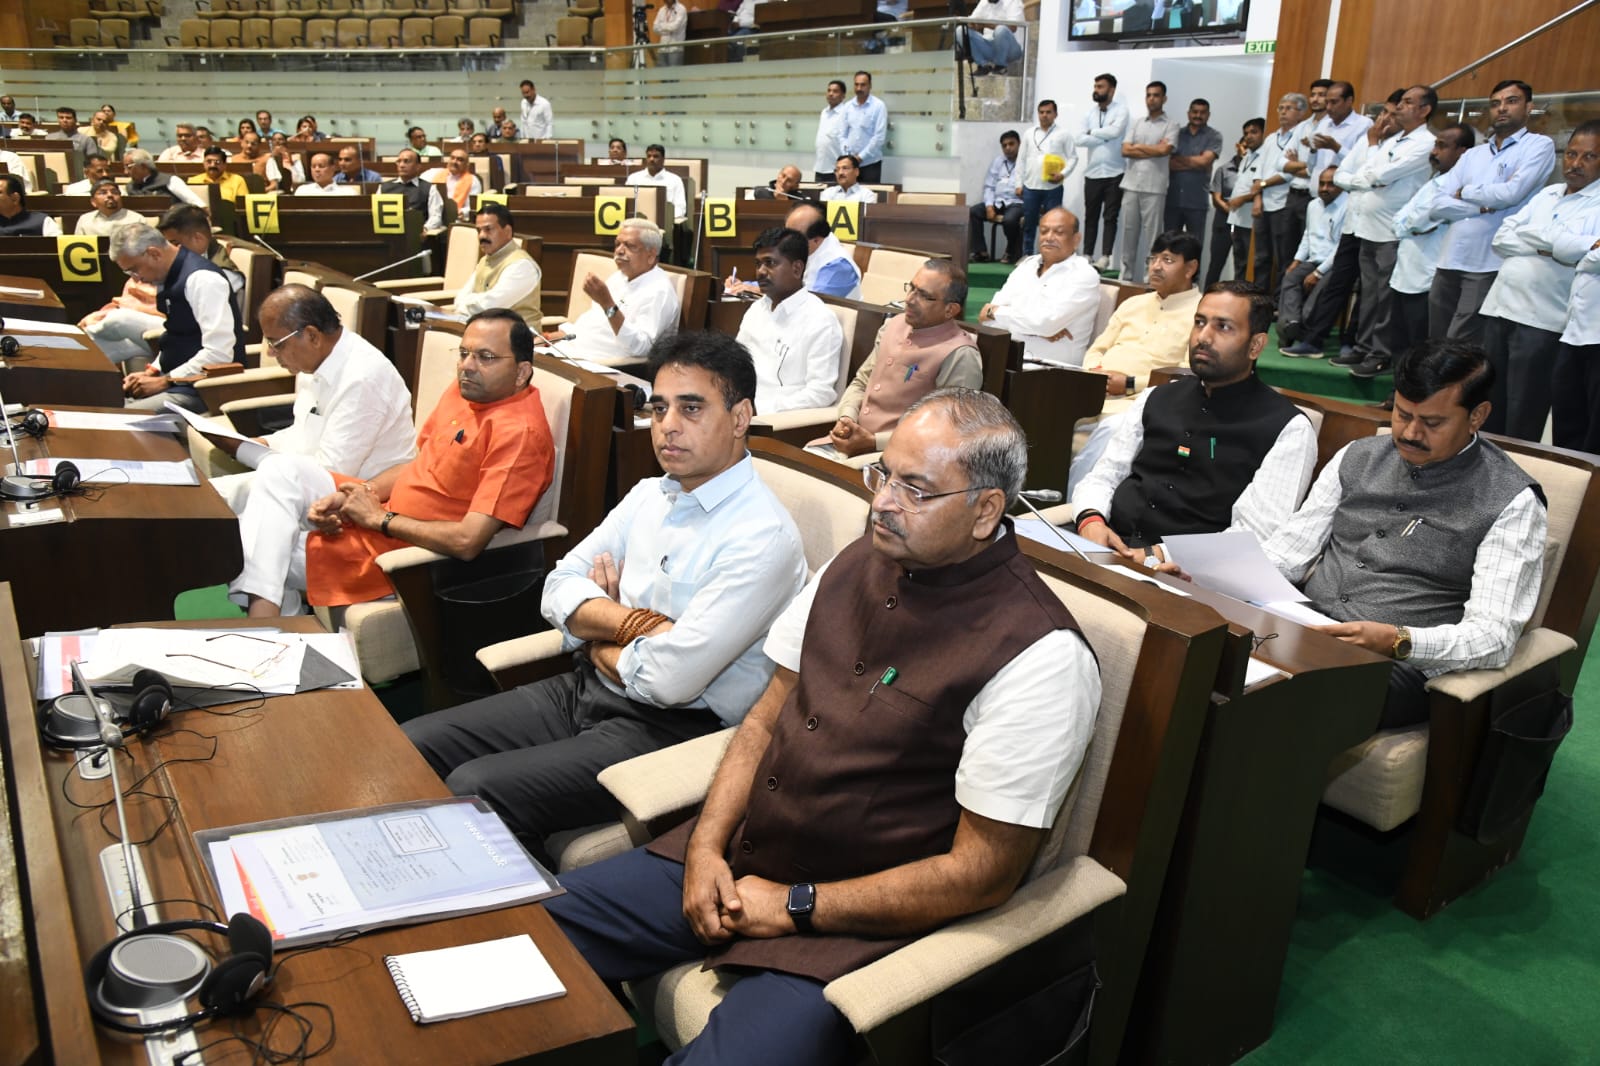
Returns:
point(793, 337)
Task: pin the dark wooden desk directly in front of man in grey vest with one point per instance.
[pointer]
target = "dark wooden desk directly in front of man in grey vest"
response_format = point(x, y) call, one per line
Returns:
point(1210, 982)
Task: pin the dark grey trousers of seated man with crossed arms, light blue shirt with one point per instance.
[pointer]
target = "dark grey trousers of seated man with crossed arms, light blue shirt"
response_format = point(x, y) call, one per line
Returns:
point(534, 753)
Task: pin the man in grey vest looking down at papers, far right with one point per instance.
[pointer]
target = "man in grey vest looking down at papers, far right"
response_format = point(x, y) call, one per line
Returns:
point(1430, 543)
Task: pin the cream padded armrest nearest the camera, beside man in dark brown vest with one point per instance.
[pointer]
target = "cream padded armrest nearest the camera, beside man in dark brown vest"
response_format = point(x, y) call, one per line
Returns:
point(948, 956)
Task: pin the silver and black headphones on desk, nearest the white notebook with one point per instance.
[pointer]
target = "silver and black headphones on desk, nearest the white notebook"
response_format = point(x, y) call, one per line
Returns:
point(156, 968)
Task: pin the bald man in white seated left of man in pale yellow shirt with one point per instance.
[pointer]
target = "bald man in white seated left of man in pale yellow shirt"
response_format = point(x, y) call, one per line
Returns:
point(1050, 300)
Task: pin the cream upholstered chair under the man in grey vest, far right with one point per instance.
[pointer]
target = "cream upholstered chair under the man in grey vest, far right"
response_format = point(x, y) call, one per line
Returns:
point(1420, 775)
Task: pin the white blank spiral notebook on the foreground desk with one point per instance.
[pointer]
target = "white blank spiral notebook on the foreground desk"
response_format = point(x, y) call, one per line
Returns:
point(473, 979)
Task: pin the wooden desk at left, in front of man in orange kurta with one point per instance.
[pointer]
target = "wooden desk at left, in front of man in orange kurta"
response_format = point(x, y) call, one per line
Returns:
point(124, 551)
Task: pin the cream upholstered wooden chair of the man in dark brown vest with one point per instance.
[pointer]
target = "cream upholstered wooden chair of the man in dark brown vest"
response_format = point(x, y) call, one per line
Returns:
point(1095, 852)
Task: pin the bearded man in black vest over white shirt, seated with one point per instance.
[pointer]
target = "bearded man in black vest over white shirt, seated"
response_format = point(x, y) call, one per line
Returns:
point(1214, 452)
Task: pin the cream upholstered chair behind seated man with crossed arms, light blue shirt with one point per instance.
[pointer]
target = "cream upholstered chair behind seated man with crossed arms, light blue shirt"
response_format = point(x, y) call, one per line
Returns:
point(831, 511)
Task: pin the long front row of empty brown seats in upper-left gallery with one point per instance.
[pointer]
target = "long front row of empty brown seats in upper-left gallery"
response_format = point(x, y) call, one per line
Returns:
point(446, 31)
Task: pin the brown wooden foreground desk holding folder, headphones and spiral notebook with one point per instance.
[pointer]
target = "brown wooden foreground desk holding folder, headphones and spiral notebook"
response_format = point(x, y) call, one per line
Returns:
point(276, 764)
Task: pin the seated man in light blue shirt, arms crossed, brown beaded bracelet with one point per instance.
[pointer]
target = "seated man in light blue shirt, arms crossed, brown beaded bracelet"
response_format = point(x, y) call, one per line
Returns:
point(666, 604)
